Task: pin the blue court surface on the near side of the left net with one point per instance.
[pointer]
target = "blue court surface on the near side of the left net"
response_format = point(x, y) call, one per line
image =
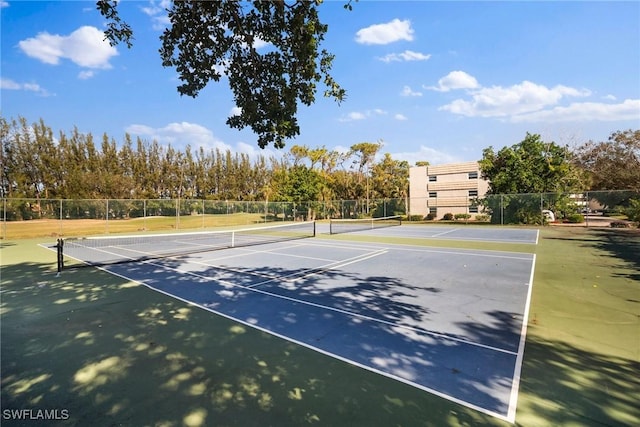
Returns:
point(451, 322)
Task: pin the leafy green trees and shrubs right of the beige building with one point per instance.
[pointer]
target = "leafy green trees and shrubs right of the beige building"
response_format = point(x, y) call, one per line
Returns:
point(534, 167)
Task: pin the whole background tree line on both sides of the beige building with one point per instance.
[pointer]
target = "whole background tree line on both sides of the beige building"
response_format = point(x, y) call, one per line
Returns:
point(36, 163)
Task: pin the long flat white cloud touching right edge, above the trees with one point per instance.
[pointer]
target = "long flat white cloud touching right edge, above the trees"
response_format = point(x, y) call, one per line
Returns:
point(585, 112)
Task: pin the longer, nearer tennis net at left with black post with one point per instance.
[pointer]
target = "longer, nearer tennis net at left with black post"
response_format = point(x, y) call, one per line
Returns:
point(104, 250)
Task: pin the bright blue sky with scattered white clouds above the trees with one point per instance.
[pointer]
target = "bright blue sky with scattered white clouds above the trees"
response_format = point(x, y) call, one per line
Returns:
point(436, 81)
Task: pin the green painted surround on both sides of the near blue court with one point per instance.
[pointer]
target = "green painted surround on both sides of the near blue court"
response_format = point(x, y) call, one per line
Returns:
point(114, 353)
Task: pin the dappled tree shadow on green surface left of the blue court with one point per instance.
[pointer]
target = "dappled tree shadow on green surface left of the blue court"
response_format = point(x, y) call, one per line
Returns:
point(113, 353)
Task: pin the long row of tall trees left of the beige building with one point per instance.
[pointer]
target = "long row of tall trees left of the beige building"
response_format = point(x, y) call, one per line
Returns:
point(39, 164)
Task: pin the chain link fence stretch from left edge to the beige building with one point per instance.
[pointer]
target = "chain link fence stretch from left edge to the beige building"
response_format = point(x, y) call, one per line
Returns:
point(23, 218)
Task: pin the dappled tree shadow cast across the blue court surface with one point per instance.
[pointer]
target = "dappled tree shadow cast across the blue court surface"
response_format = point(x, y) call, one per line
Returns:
point(379, 322)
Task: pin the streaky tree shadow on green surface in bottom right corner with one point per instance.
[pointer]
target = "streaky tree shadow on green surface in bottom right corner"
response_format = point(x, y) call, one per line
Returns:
point(573, 387)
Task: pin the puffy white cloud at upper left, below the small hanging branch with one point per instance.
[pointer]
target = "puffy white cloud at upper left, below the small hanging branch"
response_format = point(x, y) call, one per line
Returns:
point(85, 47)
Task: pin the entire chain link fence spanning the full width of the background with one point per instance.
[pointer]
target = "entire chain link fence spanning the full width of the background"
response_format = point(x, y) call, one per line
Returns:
point(54, 217)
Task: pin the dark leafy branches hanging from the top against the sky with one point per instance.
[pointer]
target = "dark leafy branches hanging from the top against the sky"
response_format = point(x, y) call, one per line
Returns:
point(206, 40)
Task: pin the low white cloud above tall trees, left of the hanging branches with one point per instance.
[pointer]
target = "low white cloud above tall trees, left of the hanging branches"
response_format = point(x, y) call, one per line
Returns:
point(179, 135)
